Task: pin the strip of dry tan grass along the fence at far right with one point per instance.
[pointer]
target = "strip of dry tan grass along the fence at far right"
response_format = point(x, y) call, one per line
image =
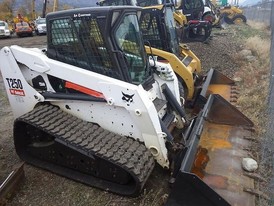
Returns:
point(255, 79)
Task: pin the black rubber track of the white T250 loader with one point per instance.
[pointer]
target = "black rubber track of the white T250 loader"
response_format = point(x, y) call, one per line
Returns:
point(52, 139)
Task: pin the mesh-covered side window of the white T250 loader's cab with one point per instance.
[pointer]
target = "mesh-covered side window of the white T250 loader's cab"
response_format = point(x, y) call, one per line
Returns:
point(79, 42)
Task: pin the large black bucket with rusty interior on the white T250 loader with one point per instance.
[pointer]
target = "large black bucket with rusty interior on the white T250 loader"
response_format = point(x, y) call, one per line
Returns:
point(210, 172)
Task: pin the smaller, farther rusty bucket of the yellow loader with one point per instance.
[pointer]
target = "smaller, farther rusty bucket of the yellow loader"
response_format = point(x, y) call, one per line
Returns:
point(216, 83)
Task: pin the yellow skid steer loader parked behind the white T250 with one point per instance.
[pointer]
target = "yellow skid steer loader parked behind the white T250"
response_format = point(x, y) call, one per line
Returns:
point(158, 29)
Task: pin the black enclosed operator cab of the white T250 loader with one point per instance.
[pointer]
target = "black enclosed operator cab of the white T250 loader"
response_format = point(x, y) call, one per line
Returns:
point(81, 39)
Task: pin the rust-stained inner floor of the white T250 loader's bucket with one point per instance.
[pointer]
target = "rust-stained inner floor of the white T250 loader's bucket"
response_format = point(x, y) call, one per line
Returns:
point(218, 162)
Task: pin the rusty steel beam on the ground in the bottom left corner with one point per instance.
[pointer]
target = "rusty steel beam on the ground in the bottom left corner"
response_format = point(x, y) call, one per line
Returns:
point(10, 184)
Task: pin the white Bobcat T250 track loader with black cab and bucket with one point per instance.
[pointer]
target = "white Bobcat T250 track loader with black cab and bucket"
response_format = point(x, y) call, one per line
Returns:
point(94, 108)
